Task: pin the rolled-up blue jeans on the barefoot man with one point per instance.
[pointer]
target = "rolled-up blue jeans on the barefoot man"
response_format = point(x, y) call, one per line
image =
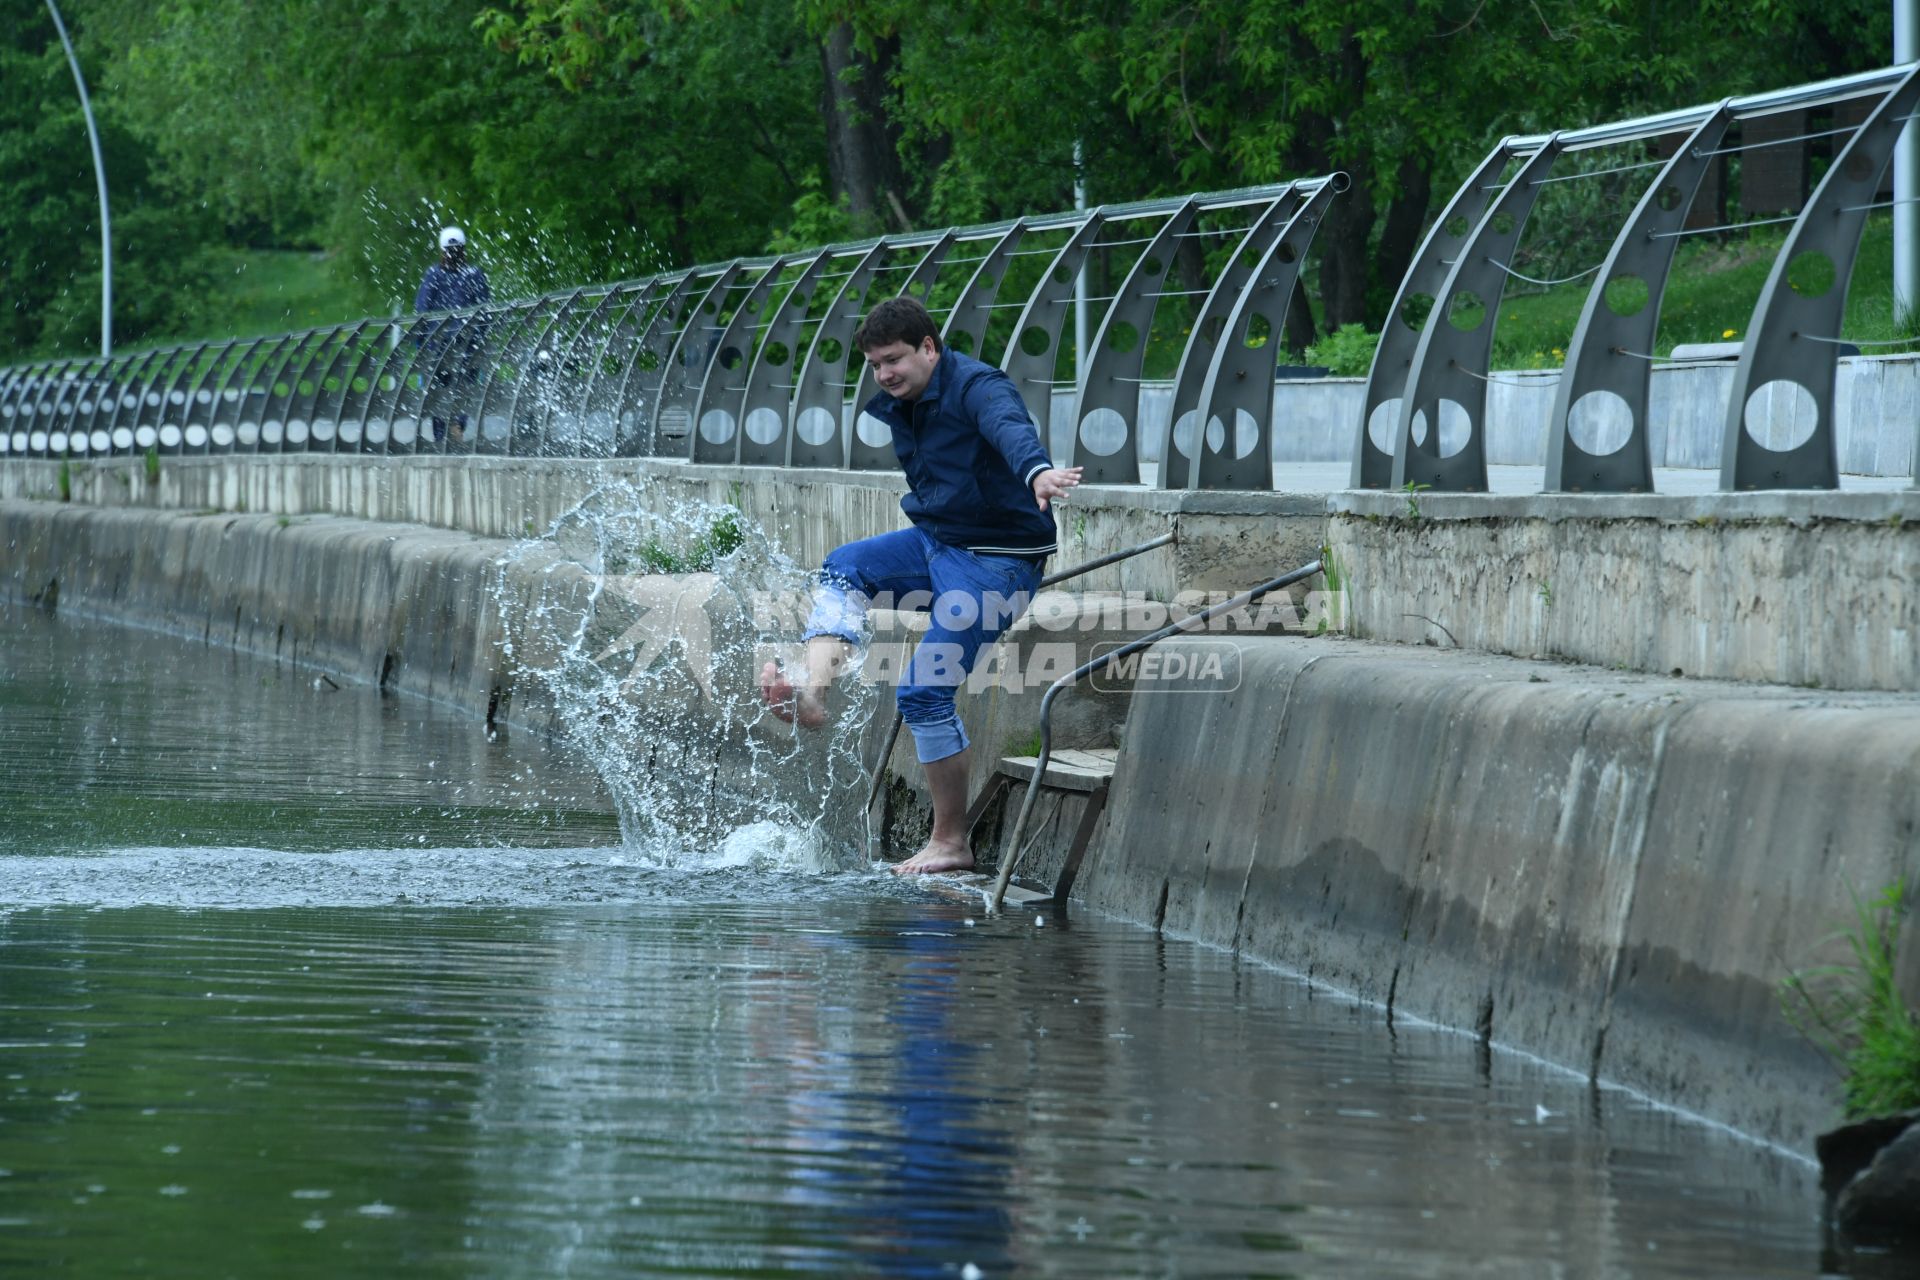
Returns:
point(971, 602)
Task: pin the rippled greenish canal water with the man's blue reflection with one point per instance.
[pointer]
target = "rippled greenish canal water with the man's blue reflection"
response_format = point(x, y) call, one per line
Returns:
point(306, 982)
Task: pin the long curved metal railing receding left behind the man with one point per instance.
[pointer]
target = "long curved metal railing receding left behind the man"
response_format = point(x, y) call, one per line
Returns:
point(748, 362)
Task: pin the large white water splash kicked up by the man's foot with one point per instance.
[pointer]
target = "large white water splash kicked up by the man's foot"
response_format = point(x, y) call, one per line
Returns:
point(644, 621)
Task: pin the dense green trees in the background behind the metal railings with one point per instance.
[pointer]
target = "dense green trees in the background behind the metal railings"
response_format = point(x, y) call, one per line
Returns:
point(604, 139)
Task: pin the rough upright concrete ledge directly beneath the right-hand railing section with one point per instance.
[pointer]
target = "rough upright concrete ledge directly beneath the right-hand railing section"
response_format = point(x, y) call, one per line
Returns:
point(1783, 588)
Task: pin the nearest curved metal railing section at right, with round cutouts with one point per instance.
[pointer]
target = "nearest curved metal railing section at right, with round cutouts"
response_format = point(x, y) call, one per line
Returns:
point(1426, 410)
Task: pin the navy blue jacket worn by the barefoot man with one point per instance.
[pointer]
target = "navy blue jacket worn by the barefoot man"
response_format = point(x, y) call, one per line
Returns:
point(971, 454)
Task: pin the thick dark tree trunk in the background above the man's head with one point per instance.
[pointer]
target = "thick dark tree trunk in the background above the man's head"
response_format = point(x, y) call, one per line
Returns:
point(863, 145)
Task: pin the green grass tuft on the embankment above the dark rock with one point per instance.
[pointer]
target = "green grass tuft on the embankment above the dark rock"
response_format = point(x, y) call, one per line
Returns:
point(1856, 1014)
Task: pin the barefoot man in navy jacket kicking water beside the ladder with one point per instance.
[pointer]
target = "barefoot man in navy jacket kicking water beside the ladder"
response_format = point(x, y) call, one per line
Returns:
point(980, 490)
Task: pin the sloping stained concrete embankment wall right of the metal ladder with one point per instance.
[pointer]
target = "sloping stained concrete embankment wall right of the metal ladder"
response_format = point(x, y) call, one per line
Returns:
point(1608, 870)
